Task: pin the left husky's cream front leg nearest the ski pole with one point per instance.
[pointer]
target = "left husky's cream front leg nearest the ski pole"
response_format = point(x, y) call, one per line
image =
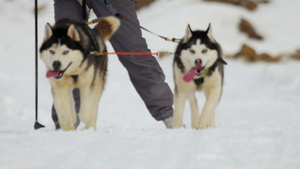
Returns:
point(62, 102)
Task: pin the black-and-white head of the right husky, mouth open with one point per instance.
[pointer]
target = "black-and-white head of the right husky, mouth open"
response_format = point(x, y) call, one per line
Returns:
point(200, 50)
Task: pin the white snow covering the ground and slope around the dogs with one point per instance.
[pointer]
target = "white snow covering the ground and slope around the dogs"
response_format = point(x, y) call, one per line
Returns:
point(257, 118)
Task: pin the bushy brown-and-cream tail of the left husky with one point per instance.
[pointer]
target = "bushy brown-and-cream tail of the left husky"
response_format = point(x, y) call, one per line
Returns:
point(107, 27)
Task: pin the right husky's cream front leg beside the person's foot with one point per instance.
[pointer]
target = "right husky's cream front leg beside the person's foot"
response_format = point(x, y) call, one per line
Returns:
point(179, 103)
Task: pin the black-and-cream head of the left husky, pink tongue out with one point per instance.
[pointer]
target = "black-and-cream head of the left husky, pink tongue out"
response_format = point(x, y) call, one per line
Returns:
point(61, 50)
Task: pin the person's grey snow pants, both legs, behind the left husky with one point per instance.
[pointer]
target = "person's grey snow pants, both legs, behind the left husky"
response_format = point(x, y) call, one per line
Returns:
point(144, 71)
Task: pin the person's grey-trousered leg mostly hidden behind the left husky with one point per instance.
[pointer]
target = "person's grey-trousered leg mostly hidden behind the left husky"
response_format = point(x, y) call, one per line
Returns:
point(70, 9)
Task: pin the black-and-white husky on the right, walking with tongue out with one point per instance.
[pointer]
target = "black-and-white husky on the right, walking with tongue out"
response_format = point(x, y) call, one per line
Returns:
point(198, 65)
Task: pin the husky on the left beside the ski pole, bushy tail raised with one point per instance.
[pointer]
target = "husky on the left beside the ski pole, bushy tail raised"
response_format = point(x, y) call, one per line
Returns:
point(67, 52)
